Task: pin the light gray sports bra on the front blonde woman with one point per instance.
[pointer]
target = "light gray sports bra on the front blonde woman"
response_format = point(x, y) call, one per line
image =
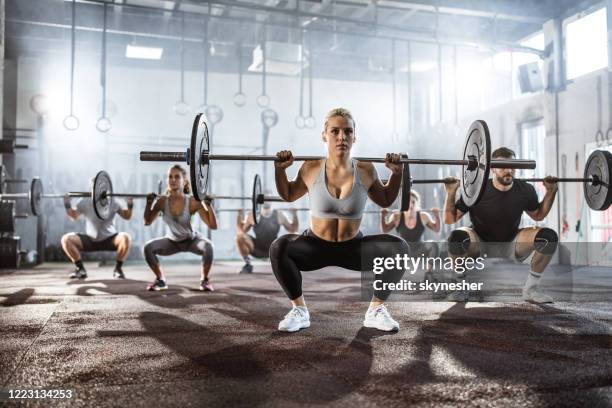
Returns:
point(324, 205)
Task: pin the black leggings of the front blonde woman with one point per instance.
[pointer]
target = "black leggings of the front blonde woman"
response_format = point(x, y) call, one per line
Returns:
point(293, 253)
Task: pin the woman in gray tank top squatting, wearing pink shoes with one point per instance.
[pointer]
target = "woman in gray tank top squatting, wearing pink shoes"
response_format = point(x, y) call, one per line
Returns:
point(177, 207)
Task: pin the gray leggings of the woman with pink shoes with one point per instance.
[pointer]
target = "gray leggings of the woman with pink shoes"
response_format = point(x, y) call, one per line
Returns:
point(165, 246)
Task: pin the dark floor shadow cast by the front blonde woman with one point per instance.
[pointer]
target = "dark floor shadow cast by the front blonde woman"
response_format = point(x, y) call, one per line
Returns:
point(272, 367)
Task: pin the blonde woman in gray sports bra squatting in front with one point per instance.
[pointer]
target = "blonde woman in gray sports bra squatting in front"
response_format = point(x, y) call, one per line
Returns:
point(338, 187)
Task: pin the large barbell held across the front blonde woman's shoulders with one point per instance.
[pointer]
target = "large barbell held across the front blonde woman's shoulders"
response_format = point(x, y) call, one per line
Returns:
point(476, 162)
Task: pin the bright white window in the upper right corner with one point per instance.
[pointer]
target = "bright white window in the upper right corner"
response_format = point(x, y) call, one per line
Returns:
point(586, 44)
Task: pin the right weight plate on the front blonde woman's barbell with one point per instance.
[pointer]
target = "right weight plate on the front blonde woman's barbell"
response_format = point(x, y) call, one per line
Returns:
point(478, 146)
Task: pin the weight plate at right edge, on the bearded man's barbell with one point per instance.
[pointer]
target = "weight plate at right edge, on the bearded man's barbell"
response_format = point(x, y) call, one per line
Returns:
point(597, 195)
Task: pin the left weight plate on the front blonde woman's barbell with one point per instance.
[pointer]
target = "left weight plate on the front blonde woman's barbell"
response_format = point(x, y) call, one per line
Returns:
point(198, 165)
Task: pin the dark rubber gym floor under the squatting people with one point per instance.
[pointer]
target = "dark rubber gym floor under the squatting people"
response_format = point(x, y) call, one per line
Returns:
point(118, 345)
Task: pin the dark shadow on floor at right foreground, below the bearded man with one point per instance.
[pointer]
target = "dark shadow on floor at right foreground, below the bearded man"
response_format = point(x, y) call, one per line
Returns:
point(531, 346)
